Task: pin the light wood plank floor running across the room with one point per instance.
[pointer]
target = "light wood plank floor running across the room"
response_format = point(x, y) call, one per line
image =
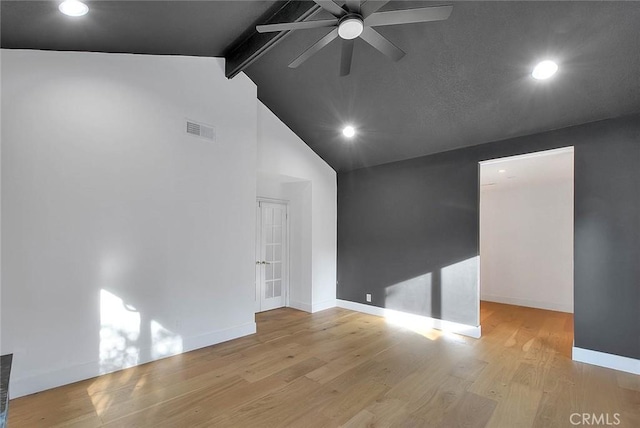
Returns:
point(339, 367)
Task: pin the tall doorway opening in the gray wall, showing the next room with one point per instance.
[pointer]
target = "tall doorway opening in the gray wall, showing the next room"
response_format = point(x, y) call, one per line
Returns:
point(526, 232)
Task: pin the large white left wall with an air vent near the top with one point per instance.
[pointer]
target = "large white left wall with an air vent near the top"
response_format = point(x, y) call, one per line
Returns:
point(123, 238)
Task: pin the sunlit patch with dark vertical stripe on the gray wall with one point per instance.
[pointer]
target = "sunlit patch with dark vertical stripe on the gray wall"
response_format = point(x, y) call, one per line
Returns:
point(438, 293)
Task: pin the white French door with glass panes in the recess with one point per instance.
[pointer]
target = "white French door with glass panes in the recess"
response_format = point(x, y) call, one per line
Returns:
point(271, 256)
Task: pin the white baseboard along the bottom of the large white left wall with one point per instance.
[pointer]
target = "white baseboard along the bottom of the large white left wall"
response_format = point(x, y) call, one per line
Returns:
point(43, 381)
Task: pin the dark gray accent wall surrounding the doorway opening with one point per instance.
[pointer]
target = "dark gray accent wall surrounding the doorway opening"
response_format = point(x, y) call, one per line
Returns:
point(401, 225)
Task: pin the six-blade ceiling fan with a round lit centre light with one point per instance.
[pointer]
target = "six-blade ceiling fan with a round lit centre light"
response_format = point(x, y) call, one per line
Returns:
point(357, 19)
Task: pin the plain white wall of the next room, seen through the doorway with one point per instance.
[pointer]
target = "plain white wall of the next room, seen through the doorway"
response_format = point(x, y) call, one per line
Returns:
point(526, 244)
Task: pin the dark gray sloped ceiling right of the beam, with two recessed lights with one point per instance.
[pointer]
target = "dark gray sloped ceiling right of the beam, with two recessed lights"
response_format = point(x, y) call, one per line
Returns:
point(464, 81)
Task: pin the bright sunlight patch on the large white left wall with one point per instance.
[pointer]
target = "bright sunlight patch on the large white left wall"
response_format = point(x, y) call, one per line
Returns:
point(127, 339)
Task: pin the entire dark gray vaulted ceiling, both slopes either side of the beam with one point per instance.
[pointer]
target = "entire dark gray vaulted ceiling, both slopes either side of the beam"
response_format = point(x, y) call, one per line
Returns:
point(463, 81)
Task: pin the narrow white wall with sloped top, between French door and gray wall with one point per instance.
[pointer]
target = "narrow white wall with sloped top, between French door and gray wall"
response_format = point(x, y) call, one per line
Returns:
point(285, 158)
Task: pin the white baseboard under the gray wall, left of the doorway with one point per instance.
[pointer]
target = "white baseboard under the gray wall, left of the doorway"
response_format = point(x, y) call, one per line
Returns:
point(448, 326)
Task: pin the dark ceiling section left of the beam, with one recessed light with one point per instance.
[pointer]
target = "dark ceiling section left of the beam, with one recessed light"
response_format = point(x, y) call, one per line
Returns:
point(198, 28)
